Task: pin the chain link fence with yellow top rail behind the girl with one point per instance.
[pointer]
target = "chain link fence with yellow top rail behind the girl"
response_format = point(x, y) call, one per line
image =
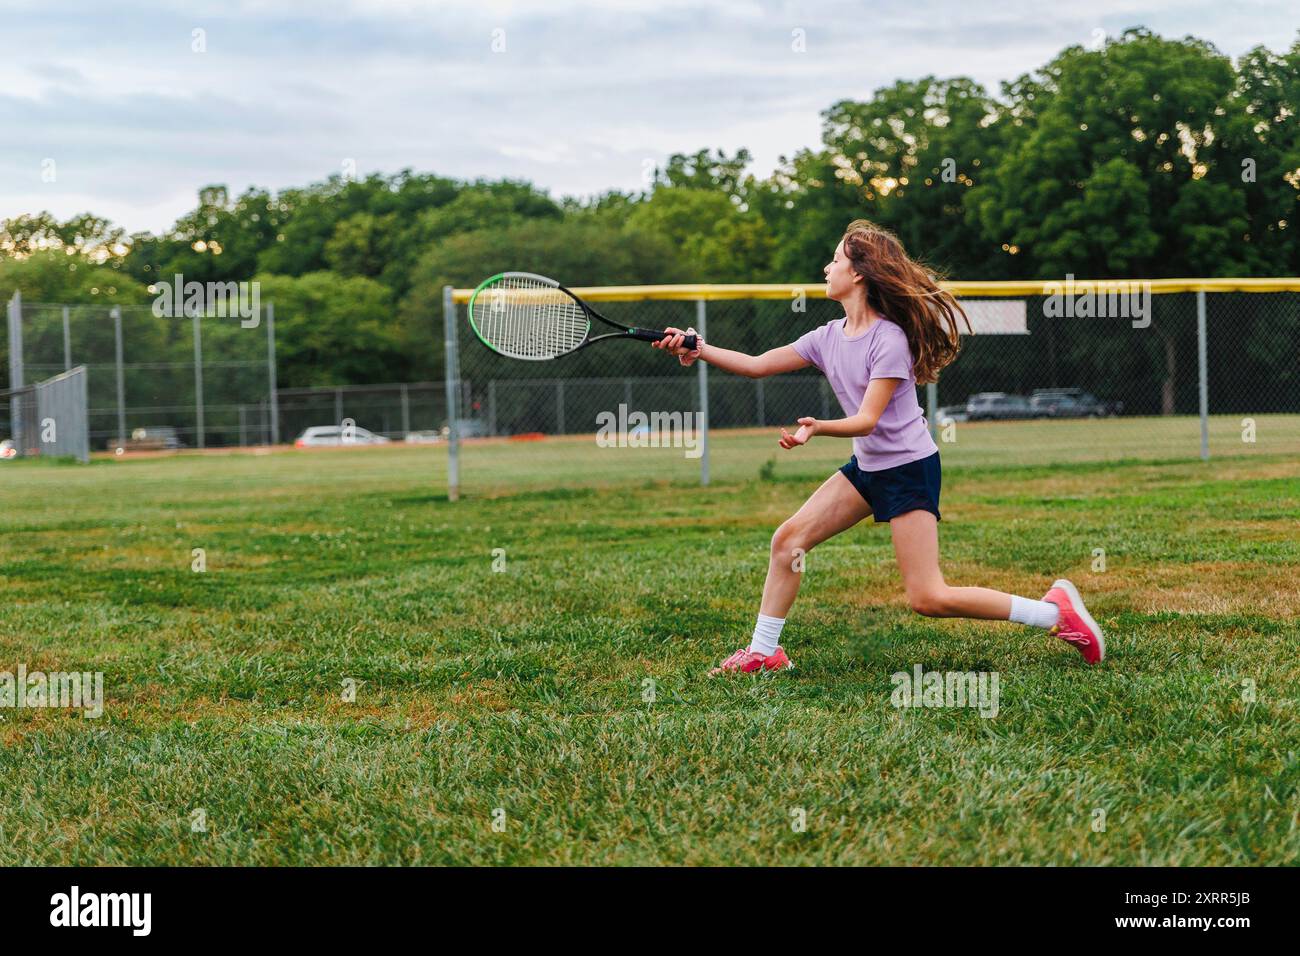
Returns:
point(1087, 374)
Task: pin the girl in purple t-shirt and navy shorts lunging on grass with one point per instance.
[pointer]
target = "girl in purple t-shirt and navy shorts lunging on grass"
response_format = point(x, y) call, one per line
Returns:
point(899, 330)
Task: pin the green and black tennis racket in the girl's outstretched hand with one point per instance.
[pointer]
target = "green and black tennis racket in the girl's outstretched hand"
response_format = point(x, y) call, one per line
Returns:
point(522, 315)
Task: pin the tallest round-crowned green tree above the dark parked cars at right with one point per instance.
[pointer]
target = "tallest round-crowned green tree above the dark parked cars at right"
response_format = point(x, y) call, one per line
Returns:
point(1099, 174)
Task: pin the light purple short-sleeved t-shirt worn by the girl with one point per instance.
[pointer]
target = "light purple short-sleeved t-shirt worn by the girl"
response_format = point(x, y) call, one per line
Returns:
point(882, 352)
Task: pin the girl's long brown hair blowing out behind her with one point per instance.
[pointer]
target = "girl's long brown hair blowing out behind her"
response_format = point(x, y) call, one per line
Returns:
point(908, 295)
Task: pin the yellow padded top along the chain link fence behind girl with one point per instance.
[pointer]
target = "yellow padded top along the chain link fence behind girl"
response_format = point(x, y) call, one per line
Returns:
point(998, 291)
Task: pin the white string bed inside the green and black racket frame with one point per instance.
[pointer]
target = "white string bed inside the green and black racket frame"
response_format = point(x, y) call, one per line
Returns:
point(525, 318)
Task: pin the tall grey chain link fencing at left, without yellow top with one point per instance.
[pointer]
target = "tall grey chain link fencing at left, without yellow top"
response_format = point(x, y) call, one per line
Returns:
point(184, 383)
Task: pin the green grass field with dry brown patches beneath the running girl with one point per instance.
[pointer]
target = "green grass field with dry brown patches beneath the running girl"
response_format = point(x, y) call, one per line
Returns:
point(519, 695)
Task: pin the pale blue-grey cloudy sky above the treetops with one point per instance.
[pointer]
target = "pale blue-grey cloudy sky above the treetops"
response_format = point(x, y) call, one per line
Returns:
point(140, 103)
